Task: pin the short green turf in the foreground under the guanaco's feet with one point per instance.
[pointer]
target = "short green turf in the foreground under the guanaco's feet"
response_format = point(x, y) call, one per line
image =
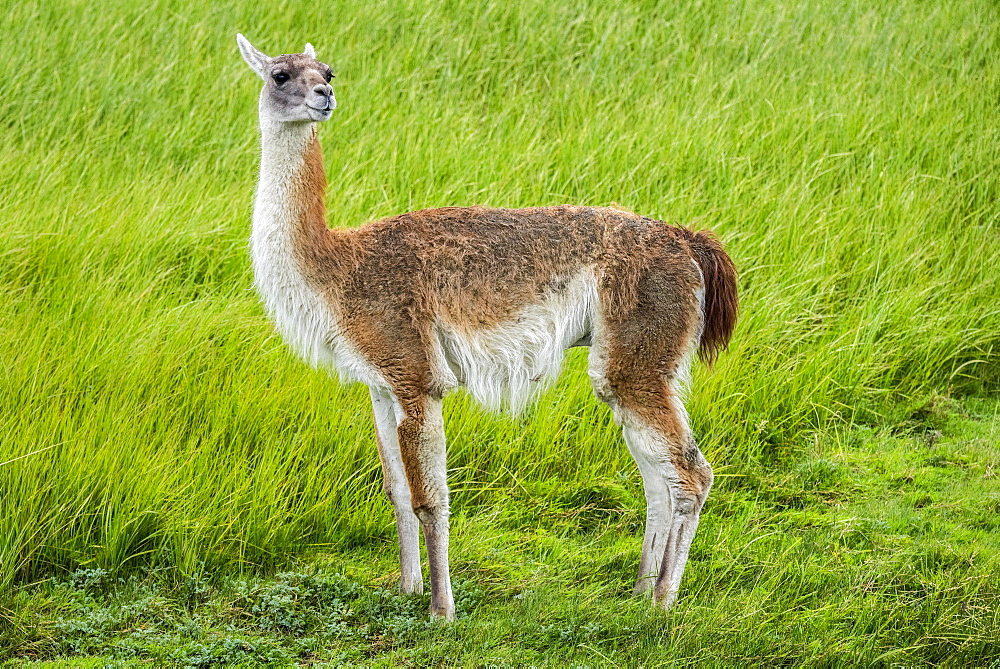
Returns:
point(874, 547)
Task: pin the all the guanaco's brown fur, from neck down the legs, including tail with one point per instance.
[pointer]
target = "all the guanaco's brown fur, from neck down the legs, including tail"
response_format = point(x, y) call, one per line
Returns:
point(475, 268)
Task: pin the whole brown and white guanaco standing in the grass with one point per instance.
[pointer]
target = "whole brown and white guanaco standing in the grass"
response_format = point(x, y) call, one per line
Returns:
point(489, 299)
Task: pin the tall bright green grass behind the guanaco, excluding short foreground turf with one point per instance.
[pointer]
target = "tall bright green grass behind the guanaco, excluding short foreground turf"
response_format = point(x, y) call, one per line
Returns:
point(845, 152)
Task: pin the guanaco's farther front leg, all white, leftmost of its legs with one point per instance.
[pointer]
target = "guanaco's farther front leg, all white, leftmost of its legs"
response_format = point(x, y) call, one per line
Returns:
point(398, 491)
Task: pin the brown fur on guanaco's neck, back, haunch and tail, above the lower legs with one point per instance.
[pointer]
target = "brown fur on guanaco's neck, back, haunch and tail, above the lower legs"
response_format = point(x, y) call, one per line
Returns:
point(474, 267)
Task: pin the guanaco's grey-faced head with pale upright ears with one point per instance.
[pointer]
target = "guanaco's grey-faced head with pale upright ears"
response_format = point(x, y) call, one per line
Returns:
point(296, 86)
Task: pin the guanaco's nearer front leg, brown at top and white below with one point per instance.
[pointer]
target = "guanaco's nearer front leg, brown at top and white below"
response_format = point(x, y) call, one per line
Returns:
point(422, 445)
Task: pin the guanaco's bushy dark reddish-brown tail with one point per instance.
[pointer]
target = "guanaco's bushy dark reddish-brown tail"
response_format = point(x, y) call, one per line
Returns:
point(721, 301)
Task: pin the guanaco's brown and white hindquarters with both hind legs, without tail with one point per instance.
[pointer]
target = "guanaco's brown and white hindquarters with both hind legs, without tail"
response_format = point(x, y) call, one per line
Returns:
point(649, 325)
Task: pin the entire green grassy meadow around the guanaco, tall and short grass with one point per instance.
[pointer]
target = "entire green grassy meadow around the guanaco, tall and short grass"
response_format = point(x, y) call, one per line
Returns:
point(177, 488)
